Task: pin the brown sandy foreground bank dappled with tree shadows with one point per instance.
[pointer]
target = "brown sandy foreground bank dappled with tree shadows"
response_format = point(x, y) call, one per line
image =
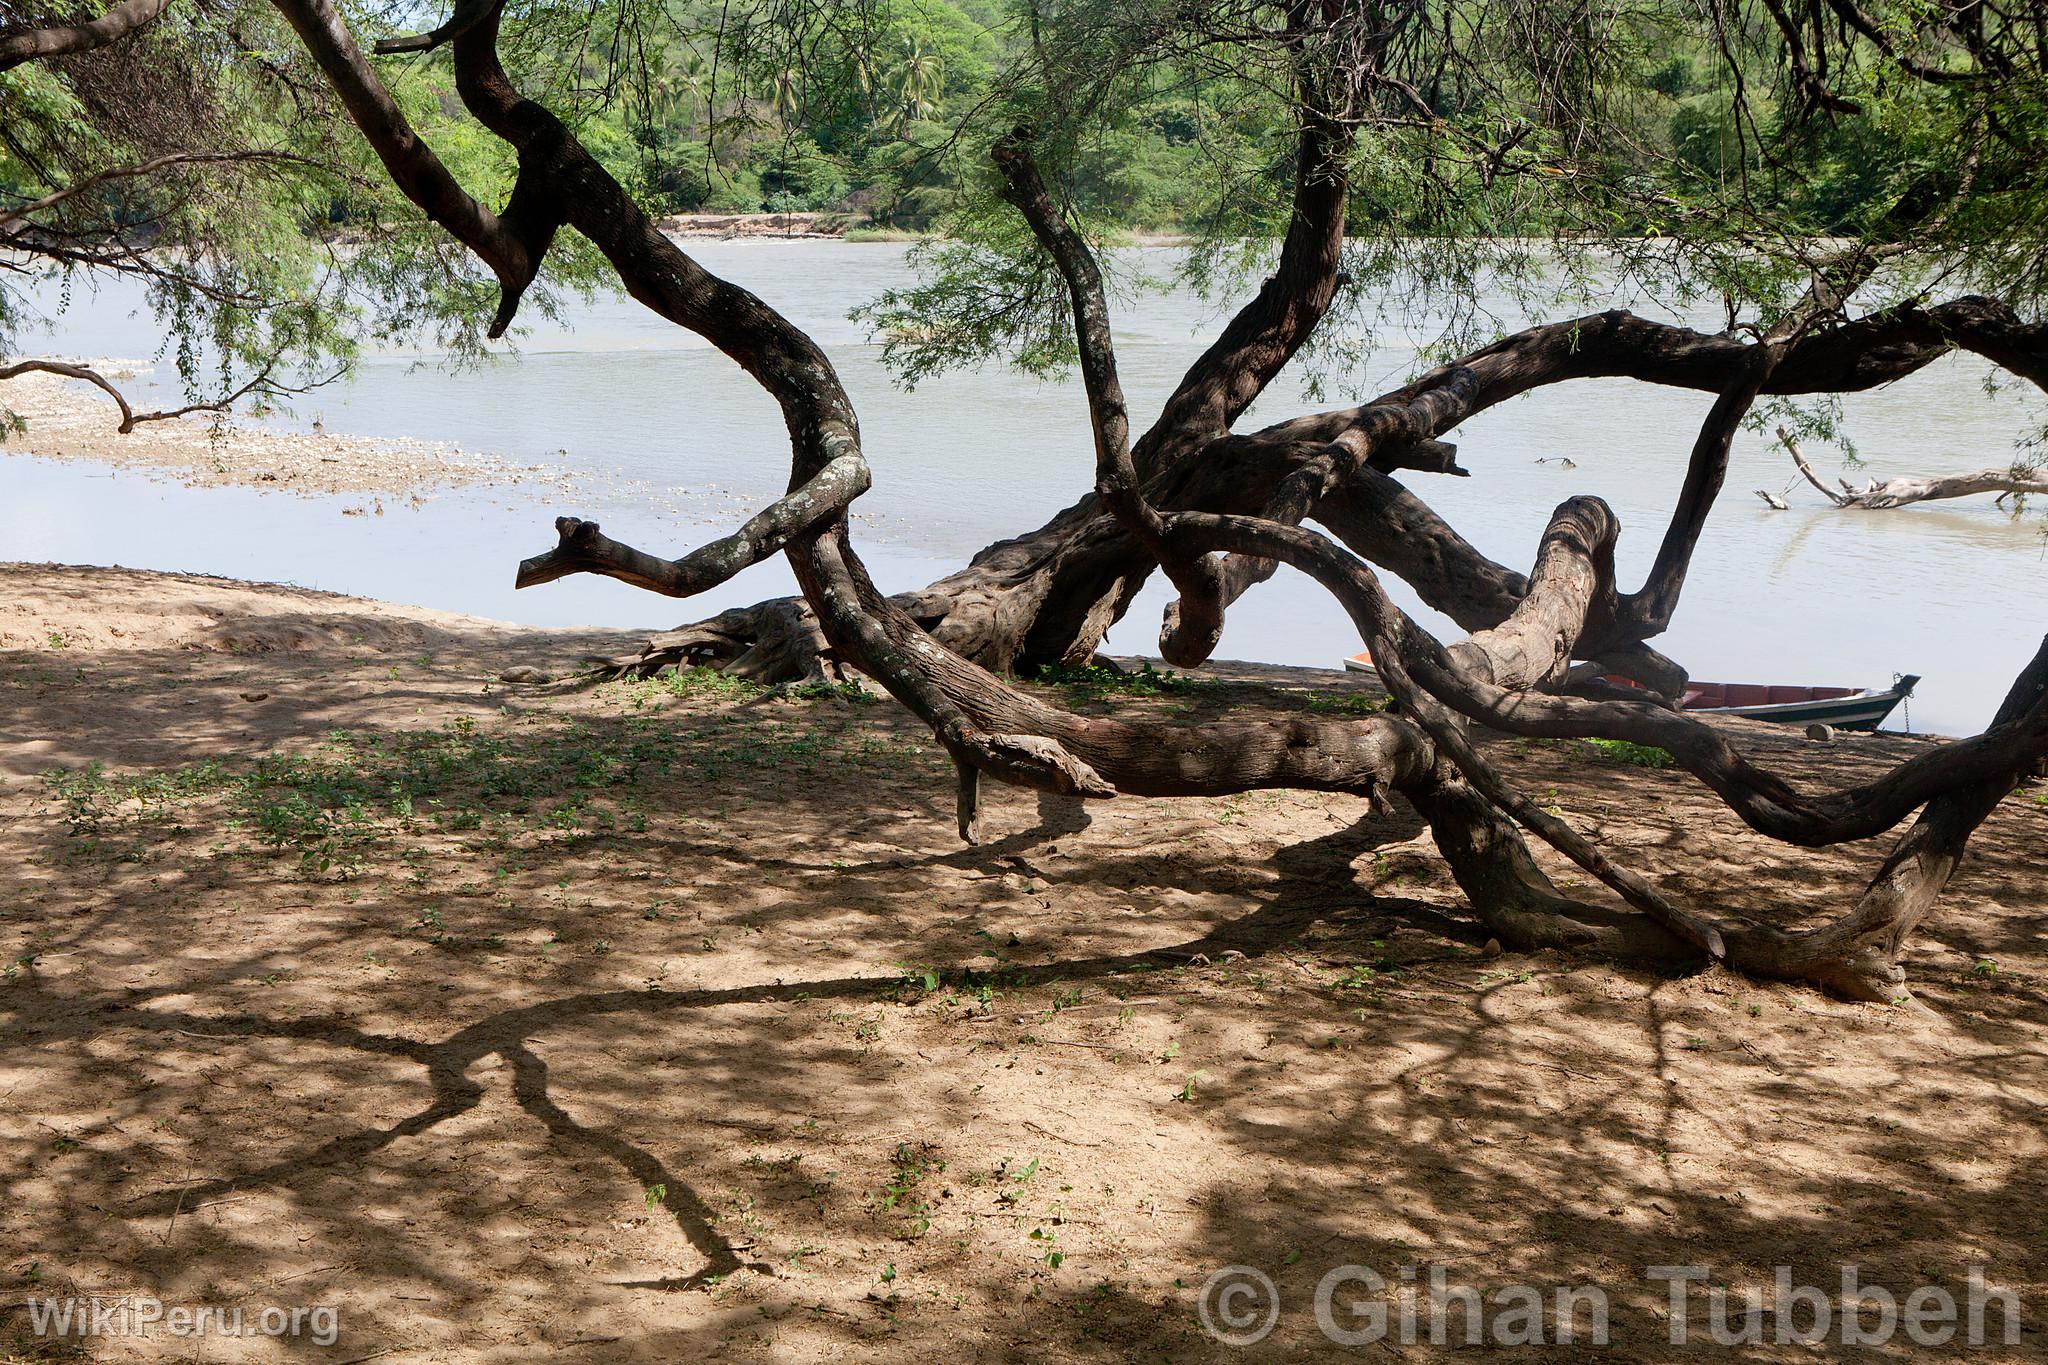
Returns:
point(660, 1022)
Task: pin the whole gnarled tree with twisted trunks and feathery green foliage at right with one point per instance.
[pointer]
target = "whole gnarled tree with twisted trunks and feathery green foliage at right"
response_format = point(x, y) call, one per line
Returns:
point(1474, 116)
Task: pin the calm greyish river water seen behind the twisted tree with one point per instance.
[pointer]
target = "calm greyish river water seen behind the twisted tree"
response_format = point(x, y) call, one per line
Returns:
point(673, 443)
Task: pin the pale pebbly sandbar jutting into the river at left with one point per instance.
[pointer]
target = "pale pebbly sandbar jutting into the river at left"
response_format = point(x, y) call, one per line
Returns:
point(73, 421)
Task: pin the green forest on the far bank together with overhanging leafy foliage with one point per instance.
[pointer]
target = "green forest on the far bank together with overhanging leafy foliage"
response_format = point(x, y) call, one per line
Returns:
point(1707, 152)
